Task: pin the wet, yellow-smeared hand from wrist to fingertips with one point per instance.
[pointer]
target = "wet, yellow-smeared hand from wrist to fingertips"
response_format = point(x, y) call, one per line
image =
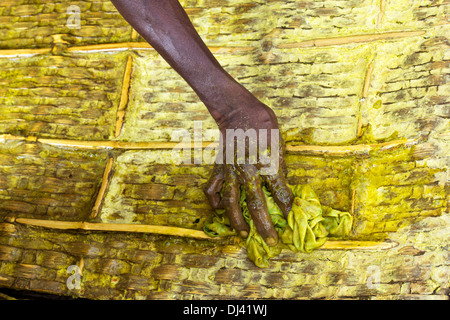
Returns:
point(230, 174)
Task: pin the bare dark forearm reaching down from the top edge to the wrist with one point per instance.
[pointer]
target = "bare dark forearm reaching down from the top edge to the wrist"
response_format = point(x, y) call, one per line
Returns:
point(166, 27)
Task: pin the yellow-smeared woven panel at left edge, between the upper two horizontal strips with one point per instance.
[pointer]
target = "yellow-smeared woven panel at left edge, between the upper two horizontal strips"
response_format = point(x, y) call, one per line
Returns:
point(70, 96)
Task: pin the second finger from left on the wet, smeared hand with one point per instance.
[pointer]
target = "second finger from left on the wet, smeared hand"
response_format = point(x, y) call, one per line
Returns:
point(230, 201)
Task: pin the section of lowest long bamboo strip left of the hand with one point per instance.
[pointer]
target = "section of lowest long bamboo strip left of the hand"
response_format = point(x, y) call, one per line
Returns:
point(117, 227)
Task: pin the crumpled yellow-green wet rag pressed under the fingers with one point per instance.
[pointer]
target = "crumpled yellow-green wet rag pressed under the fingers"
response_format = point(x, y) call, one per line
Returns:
point(307, 227)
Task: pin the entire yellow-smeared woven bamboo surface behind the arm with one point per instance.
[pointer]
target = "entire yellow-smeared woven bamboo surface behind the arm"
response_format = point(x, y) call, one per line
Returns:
point(88, 120)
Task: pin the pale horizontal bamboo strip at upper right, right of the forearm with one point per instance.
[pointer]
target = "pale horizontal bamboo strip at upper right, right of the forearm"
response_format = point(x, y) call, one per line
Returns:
point(324, 42)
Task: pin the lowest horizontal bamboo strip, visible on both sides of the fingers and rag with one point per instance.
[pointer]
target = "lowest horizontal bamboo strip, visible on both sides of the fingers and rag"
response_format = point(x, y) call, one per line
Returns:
point(183, 232)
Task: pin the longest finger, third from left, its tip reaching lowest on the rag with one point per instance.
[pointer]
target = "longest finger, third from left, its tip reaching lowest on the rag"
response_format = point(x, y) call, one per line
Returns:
point(256, 204)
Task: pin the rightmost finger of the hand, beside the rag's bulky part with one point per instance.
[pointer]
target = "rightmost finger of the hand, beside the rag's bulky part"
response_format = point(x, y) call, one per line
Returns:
point(280, 191)
